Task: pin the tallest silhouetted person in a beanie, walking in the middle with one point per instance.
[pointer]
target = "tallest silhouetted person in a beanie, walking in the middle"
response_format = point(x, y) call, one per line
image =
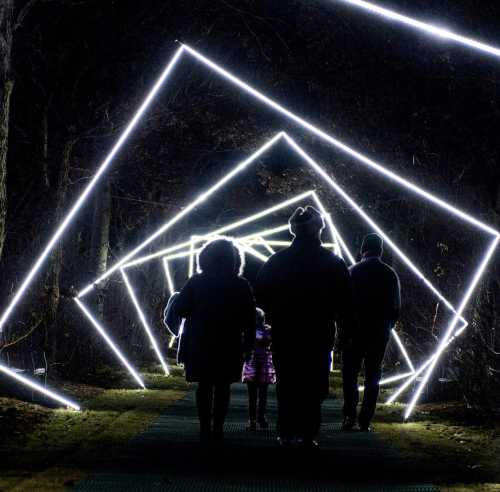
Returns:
point(305, 290)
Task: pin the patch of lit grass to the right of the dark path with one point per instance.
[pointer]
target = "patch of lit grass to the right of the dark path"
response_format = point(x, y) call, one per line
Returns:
point(456, 451)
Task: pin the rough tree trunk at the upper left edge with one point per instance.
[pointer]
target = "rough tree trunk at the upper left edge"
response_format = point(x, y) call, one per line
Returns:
point(6, 87)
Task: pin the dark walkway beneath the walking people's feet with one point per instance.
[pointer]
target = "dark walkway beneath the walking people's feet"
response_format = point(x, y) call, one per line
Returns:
point(167, 457)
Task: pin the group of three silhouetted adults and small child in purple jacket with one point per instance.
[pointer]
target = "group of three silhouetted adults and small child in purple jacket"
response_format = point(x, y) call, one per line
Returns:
point(307, 298)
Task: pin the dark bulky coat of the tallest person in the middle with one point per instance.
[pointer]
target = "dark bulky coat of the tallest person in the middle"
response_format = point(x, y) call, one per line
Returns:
point(304, 290)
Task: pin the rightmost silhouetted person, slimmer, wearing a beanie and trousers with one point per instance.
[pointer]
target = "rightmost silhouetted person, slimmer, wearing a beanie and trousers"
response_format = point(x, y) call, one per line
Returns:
point(377, 302)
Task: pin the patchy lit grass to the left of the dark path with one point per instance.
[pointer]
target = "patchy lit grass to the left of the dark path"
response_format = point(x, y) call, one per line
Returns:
point(43, 449)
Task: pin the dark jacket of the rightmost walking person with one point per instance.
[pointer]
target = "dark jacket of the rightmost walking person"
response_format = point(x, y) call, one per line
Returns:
point(377, 298)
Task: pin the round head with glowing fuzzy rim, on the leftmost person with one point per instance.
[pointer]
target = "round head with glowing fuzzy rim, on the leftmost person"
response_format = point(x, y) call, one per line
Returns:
point(221, 256)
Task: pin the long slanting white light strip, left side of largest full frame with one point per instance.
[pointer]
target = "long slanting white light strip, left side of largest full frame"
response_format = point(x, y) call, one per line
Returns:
point(78, 204)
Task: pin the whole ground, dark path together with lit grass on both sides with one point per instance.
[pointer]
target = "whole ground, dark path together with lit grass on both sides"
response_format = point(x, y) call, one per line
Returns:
point(128, 439)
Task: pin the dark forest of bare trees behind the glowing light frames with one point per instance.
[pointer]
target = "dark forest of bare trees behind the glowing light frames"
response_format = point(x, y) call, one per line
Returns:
point(73, 72)
